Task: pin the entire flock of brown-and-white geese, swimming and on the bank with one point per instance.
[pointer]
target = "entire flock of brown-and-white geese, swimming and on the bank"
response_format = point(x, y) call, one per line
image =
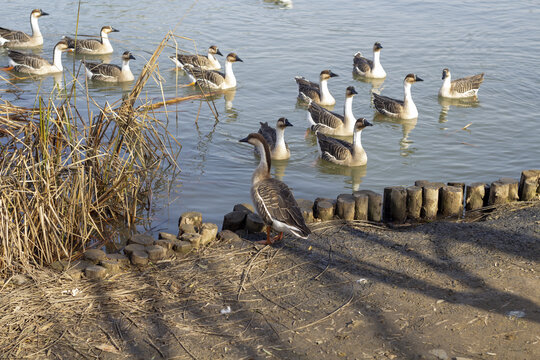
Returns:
point(272, 198)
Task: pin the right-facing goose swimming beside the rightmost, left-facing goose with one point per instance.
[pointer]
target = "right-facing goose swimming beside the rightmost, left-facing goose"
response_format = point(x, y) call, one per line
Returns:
point(396, 108)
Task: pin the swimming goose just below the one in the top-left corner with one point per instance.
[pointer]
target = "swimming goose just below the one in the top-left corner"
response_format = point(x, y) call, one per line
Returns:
point(35, 64)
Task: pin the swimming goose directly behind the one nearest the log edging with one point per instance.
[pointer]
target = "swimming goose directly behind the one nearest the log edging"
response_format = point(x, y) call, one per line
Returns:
point(330, 123)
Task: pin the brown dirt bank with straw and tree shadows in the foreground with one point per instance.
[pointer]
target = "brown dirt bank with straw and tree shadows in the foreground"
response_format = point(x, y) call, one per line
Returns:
point(442, 290)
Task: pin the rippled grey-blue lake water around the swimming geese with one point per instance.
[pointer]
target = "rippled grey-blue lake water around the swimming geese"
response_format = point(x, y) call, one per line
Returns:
point(278, 42)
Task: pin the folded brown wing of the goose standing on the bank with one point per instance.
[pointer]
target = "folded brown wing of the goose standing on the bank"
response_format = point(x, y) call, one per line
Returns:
point(275, 201)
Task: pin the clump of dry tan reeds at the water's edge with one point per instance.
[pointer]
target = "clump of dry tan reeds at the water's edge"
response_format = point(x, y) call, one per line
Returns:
point(66, 181)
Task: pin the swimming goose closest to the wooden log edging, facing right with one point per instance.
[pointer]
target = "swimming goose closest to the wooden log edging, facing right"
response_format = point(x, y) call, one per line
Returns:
point(342, 152)
